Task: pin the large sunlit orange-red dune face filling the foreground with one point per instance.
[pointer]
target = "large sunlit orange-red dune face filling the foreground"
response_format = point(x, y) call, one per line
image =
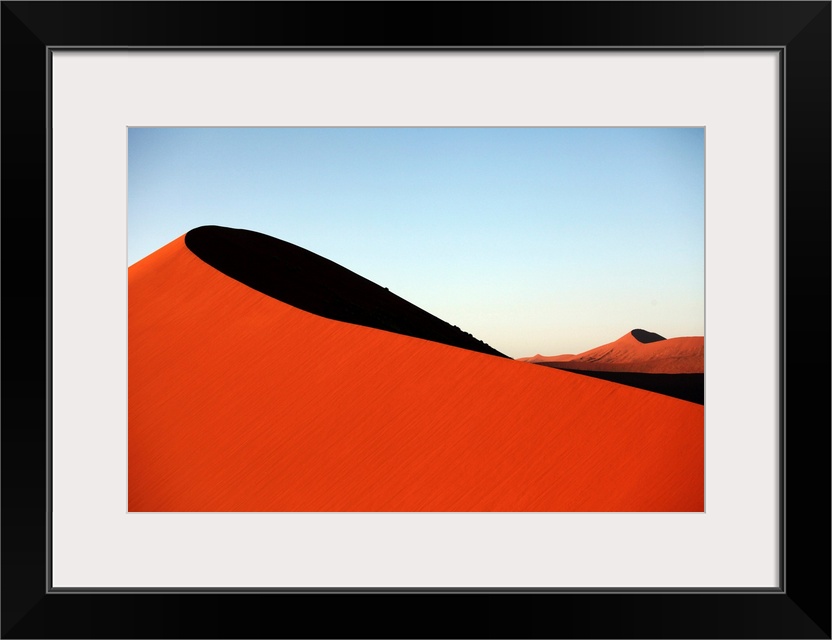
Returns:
point(239, 402)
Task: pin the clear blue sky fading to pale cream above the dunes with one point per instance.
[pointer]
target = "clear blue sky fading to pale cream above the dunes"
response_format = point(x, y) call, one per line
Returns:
point(535, 240)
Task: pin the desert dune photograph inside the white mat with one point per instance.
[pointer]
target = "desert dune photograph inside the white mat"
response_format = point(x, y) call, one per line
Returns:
point(420, 319)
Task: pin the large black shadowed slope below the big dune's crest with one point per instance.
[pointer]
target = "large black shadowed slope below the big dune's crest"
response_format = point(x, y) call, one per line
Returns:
point(310, 282)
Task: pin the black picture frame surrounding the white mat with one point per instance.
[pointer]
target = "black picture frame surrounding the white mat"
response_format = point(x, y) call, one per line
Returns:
point(799, 608)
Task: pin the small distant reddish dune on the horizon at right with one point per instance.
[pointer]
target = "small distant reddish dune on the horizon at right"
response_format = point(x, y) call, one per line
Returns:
point(674, 355)
